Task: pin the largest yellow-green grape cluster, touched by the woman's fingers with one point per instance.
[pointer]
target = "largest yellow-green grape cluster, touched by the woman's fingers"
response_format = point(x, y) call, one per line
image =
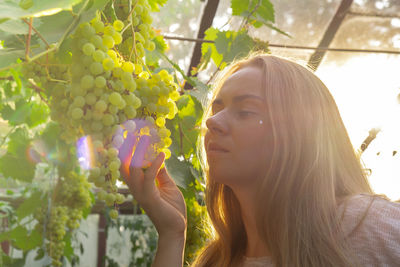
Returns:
point(105, 98)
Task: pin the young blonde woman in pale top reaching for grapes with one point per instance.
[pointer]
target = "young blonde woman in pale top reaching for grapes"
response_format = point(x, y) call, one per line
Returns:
point(284, 184)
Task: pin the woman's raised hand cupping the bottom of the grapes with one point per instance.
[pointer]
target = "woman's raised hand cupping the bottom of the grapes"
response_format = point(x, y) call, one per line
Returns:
point(164, 204)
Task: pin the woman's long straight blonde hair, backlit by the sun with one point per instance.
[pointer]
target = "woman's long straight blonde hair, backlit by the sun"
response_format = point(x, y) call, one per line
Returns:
point(313, 168)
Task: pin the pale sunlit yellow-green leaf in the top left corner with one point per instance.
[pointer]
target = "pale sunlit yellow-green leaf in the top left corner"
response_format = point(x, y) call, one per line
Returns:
point(12, 10)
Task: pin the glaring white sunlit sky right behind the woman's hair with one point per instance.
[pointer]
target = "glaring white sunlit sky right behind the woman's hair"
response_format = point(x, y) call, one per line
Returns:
point(365, 89)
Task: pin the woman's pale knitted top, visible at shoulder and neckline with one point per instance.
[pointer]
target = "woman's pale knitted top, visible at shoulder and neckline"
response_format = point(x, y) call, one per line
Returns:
point(376, 241)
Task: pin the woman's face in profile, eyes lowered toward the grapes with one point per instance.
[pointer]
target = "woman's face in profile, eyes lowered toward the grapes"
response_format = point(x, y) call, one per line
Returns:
point(238, 139)
